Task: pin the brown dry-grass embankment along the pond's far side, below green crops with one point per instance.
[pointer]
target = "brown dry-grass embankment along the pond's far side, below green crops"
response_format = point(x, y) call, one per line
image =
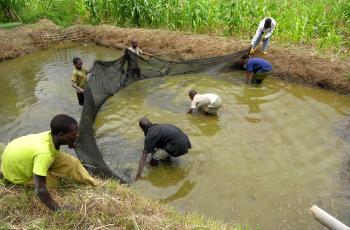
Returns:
point(292, 64)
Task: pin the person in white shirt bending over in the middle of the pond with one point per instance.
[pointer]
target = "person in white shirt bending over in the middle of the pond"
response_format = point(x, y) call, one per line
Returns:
point(208, 102)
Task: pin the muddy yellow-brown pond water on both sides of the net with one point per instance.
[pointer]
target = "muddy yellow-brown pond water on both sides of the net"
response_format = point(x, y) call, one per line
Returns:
point(272, 151)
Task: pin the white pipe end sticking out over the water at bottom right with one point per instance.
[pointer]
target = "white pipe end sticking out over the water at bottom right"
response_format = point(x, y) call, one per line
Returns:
point(327, 220)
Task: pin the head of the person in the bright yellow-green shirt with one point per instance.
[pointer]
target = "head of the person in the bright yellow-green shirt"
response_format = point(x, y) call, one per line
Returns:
point(65, 130)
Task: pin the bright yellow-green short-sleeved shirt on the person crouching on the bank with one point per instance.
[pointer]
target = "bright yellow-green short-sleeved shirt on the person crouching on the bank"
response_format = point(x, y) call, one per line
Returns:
point(26, 155)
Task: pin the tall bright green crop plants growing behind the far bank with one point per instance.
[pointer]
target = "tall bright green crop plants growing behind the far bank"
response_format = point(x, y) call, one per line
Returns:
point(323, 23)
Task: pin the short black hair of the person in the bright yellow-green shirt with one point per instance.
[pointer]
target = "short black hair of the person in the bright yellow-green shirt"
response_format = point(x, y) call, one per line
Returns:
point(61, 123)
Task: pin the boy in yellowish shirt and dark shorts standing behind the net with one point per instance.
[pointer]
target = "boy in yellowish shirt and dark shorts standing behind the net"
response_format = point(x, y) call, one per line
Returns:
point(79, 79)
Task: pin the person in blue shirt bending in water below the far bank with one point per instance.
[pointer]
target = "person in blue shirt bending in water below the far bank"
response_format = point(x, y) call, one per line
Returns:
point(257, 69)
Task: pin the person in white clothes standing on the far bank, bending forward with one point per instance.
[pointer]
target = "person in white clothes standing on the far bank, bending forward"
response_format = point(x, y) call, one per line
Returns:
point(266, 26)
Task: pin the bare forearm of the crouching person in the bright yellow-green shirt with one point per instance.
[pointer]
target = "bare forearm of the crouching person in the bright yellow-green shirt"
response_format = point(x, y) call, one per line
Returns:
point(43, 194)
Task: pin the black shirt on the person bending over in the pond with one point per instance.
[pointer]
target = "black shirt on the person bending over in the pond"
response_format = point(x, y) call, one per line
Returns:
point(167, 137)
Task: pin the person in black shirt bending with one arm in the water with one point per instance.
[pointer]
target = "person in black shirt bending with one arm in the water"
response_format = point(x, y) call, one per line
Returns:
point(162, 141)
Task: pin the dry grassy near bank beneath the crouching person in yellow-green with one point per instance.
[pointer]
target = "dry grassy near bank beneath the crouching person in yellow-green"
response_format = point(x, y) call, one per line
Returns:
point(108, 206)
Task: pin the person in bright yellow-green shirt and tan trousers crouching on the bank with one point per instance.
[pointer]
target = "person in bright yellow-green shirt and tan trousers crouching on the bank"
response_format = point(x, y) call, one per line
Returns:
point(37, 159)
